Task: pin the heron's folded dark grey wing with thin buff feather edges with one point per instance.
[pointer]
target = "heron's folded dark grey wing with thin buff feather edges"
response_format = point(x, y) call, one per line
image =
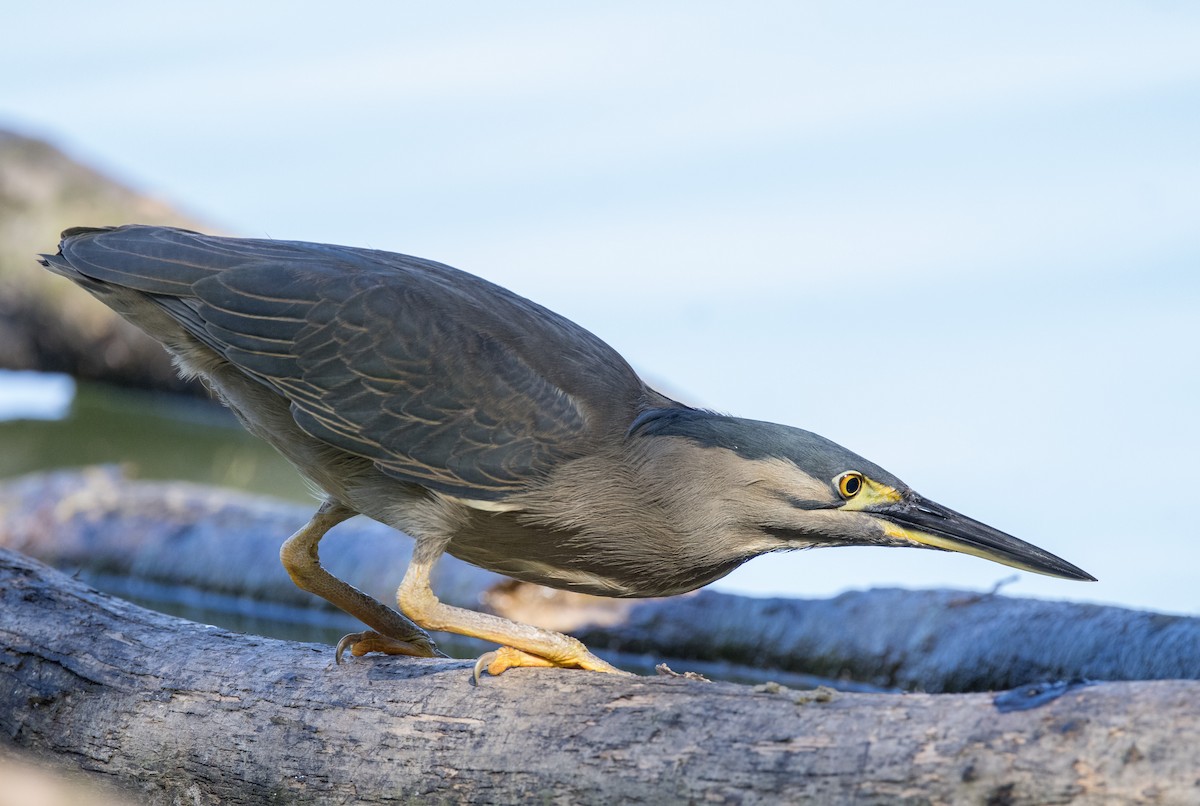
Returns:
point(439, 377)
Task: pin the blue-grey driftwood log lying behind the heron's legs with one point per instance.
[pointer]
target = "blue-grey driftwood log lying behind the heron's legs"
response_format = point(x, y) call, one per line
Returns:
point(190, 542)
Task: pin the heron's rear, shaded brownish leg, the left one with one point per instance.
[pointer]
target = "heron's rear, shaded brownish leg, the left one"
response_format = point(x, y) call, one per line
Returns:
point(392, 633)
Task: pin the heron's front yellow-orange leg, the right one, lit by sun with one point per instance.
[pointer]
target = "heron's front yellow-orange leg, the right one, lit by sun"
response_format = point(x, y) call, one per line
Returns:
point(523, 645)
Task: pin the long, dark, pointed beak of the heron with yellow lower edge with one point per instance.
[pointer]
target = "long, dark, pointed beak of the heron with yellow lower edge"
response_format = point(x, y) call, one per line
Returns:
point(934, 526)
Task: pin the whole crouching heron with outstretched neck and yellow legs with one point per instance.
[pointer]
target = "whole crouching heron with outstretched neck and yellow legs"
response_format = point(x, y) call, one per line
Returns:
point(491, 429)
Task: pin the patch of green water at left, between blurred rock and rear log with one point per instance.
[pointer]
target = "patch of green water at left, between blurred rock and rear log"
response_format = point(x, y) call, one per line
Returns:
point(152, 437)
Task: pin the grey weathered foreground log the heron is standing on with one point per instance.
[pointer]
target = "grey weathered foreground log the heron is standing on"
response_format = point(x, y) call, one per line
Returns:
point(179, 713)
